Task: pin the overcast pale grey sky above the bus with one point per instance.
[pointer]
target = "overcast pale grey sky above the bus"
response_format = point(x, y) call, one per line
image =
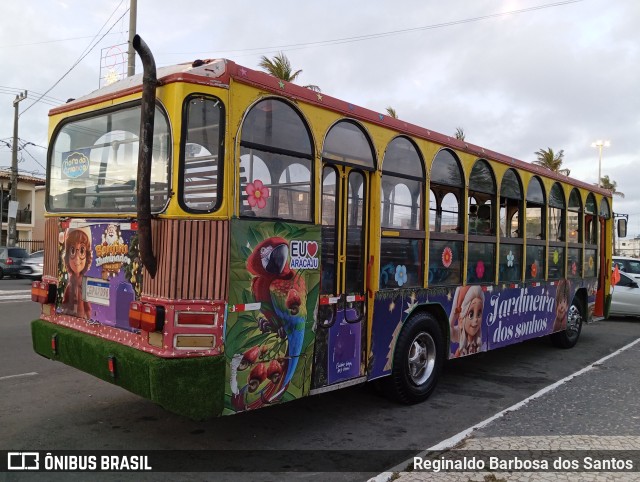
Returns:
point(557, 74)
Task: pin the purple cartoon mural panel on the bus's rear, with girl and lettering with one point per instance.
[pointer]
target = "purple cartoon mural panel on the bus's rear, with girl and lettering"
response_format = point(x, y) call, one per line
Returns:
point(99, 272)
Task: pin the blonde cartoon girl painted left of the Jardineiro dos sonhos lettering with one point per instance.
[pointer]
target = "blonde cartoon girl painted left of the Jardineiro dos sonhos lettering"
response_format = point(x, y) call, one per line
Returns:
point(466, 320)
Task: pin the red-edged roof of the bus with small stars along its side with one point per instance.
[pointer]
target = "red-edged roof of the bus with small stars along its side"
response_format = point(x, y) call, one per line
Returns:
point(220, 72)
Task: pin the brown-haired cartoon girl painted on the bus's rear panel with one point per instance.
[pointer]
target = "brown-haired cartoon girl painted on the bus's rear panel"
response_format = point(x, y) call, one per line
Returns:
point(77, 260)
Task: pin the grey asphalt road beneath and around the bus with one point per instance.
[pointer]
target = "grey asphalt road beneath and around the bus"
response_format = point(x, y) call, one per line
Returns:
point(48, 406)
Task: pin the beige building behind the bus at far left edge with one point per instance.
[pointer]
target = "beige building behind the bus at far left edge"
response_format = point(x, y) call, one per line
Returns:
point(30, 218)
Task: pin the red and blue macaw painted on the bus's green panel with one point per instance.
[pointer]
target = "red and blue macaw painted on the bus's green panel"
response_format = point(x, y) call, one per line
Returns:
point(282, 294)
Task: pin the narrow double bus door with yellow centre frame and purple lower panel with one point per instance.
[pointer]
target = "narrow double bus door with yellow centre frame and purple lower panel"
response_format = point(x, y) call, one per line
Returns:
point(341, 328)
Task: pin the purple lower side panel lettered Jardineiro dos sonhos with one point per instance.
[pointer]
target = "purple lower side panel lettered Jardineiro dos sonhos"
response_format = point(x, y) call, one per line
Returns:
point(480, 318)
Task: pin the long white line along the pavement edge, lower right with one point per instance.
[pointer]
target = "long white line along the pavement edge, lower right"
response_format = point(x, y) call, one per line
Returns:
point(459, 437)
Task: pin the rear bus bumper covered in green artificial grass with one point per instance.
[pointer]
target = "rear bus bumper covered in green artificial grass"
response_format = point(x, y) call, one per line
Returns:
point(193, 387)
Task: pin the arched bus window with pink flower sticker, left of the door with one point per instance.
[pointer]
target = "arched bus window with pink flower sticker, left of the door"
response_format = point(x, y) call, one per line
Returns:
point(276, 158)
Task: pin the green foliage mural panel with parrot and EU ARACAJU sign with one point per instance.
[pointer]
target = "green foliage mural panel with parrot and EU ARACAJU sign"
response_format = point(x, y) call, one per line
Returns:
point(273, 300)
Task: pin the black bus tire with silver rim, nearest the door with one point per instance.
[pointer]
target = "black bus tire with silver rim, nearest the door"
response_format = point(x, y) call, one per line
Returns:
point(417, 360)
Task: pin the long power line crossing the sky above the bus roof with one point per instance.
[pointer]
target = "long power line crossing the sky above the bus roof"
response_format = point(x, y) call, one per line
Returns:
point(360, 38)
